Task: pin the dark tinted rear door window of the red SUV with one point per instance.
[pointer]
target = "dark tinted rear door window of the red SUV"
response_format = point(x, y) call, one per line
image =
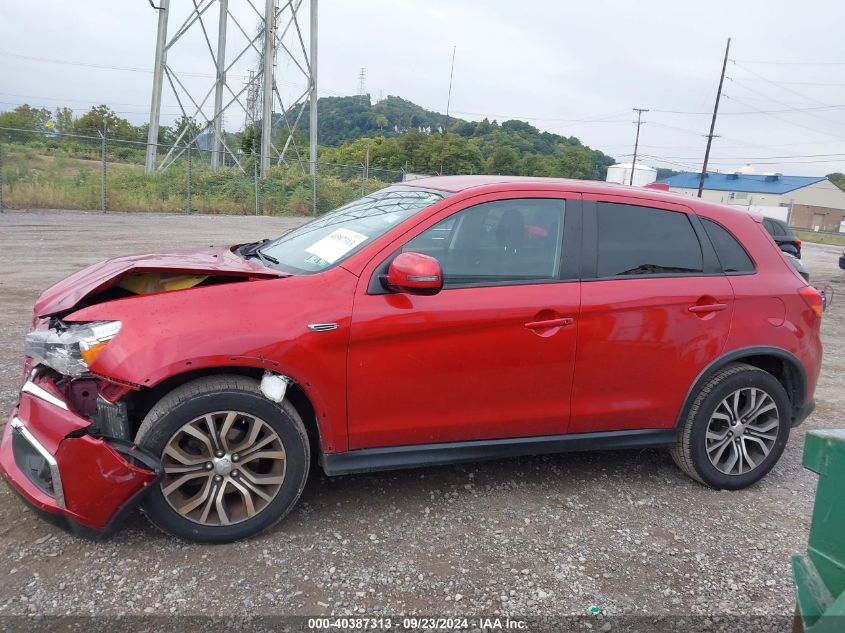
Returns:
point(636, 240)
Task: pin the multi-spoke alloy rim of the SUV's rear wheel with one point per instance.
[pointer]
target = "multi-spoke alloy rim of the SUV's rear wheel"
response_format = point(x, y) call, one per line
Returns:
point(742, 431)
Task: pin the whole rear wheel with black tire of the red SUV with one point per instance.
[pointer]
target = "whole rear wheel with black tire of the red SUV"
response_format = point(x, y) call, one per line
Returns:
point(736, 429)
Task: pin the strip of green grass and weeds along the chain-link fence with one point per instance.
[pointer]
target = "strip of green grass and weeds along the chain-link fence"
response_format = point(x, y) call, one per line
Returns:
point(46, 178)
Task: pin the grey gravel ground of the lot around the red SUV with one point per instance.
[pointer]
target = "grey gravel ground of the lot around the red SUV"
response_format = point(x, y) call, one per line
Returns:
point(547, 536)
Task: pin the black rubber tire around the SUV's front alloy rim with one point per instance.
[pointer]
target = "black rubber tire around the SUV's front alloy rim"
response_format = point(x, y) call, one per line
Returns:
point(227, 393)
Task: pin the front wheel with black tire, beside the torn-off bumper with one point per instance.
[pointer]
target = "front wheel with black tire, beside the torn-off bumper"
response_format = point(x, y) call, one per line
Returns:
point(234, 462)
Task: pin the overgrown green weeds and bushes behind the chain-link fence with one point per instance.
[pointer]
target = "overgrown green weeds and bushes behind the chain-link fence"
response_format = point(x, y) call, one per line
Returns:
point(47, 170)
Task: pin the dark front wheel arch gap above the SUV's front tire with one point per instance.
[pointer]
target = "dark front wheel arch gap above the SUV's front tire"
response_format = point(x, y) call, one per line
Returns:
point(140, 402)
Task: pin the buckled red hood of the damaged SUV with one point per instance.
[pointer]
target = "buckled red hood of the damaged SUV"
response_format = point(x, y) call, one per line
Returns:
point(216, 261)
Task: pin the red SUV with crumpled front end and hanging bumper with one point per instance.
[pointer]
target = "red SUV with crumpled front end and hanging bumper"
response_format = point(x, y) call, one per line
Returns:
point(443, 320)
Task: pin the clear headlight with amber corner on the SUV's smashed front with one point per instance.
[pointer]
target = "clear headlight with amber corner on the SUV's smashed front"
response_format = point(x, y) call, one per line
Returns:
point(72, 349)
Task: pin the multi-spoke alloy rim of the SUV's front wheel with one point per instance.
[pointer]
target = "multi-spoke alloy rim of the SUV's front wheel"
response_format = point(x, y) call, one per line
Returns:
point(223, 468)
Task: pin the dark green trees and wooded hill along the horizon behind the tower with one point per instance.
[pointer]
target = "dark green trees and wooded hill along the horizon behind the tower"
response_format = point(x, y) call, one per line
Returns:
point(398, 133)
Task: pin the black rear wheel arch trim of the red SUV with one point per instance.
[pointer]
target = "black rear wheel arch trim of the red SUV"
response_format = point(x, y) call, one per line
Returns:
point(776, 361)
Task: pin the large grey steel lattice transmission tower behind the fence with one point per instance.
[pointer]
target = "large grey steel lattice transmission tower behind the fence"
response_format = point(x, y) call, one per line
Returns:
point(280, 34)
